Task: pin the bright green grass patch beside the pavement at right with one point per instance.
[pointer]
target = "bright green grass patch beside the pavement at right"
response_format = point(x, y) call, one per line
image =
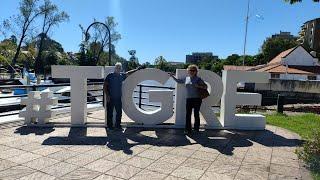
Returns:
point(301, 124)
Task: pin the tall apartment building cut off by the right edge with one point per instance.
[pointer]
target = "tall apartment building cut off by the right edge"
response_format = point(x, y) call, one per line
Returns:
point(310, 34)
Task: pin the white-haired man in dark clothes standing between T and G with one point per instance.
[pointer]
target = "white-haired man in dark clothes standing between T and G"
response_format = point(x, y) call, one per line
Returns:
point(112, 88)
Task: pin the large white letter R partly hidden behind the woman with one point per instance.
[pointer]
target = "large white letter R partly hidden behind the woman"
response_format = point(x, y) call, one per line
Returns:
point(215, 88)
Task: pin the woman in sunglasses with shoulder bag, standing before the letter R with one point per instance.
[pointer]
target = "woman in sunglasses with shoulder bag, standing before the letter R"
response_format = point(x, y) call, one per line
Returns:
point(193, 83)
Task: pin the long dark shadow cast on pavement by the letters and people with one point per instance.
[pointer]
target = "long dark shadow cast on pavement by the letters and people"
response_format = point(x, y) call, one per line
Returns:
point(223, 141)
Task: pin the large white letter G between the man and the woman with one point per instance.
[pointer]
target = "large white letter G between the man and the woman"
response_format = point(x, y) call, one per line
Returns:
point(163, 96)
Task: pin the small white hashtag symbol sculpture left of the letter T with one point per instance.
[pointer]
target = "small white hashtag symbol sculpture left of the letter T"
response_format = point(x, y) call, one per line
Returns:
point(38, 107)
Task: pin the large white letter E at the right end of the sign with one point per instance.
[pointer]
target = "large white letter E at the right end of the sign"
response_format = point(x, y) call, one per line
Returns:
point(231, 98)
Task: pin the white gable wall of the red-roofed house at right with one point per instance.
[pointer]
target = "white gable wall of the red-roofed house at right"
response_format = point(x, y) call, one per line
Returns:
point(300, 57)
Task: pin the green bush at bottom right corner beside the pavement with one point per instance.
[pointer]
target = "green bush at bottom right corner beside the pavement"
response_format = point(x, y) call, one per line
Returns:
point(310, 152)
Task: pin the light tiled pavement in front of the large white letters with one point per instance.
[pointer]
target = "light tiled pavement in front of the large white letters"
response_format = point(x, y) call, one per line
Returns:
point(137, 153)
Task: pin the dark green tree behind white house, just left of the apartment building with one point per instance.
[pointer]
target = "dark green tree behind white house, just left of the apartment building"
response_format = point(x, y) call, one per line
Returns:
point(273, 46)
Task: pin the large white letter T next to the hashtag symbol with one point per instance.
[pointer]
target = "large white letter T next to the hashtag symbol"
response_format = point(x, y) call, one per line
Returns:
point(78, 79)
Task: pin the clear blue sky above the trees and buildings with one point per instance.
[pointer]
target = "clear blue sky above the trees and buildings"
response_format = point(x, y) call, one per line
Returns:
point(174, 28)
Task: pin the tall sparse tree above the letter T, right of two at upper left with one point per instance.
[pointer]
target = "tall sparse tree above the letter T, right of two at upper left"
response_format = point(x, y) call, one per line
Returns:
point(51, 16)
